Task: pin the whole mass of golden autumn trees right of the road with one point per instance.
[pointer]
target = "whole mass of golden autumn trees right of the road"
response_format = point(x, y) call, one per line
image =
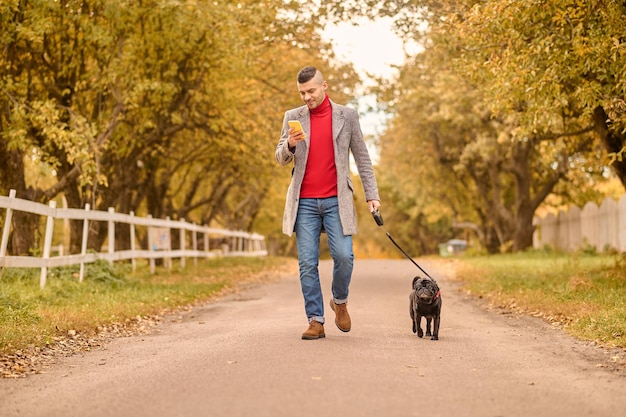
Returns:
point(510, 103)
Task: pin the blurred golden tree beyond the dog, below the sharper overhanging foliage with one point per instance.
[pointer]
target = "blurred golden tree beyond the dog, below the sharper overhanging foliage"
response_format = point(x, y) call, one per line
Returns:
point(463, 163)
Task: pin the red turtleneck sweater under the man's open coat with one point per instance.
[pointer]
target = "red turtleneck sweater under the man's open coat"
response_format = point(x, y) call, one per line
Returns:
point(320, 178)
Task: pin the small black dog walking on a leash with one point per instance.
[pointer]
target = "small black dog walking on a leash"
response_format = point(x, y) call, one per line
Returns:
point(425, 301)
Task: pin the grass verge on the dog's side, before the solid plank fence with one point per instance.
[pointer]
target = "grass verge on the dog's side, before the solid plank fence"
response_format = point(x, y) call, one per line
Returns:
point(585, 293)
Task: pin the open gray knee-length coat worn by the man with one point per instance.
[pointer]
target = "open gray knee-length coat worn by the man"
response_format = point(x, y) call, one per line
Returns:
point(347, 137)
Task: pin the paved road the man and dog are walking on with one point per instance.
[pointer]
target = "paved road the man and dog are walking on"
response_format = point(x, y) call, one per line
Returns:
point(243, 356)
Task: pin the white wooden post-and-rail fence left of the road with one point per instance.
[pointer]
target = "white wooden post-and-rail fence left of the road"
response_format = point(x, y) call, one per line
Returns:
point(235, 243)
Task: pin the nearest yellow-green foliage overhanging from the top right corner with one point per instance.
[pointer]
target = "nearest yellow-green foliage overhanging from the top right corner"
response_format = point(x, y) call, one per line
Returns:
point(557, 66)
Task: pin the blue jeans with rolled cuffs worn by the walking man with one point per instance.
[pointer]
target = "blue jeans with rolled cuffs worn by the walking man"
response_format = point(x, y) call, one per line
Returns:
point(312, 214)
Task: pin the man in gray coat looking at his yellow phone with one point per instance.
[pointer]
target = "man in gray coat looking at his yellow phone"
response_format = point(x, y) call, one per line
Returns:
point(320, 196)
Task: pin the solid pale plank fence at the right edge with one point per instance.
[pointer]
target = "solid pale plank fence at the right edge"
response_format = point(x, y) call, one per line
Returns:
point(601, 227)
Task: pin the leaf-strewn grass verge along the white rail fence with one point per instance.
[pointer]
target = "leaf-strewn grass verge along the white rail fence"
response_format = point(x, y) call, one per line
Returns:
point(32, 317)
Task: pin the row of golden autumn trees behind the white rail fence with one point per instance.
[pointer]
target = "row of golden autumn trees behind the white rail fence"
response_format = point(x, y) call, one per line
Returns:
point(169, 108)
